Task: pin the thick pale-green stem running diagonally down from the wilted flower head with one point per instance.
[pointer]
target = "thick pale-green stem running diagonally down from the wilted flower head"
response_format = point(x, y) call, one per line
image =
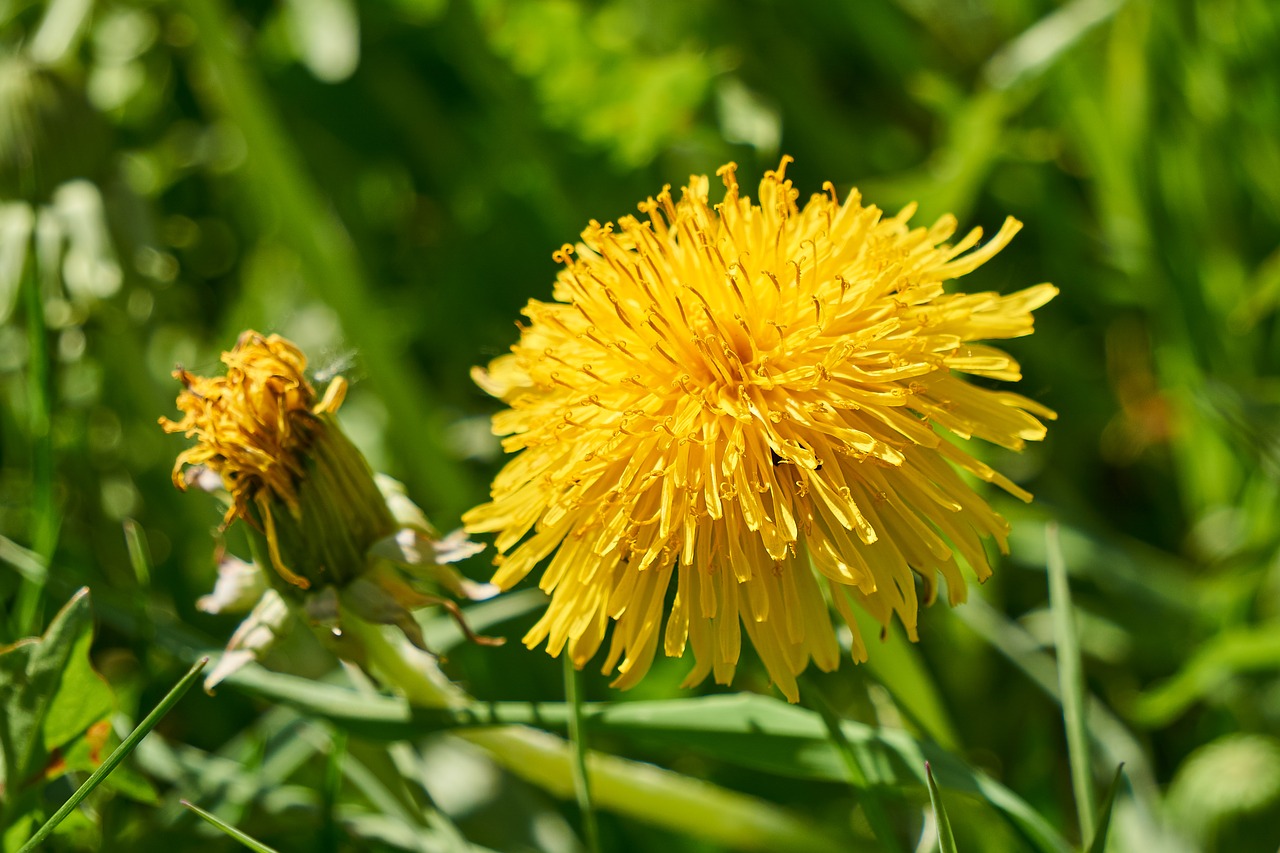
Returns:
point(639, 791)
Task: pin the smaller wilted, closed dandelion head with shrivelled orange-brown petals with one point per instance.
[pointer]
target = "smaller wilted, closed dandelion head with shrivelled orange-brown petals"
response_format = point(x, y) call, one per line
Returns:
point(339, 540)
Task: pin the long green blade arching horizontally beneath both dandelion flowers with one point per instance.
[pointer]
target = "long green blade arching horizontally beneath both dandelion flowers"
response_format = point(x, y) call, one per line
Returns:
point(747, 731)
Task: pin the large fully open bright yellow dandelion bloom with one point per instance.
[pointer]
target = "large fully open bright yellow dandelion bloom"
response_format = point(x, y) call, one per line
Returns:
point(758, 402)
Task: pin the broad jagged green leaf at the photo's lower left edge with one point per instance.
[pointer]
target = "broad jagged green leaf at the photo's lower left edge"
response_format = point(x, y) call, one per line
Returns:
point(51, 694)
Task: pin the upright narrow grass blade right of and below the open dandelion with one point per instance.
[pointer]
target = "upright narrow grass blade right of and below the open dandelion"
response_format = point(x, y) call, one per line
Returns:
point(1071, 681)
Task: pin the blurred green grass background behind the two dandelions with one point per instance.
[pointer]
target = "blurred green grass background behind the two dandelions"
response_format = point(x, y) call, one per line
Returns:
point(386, 184)
